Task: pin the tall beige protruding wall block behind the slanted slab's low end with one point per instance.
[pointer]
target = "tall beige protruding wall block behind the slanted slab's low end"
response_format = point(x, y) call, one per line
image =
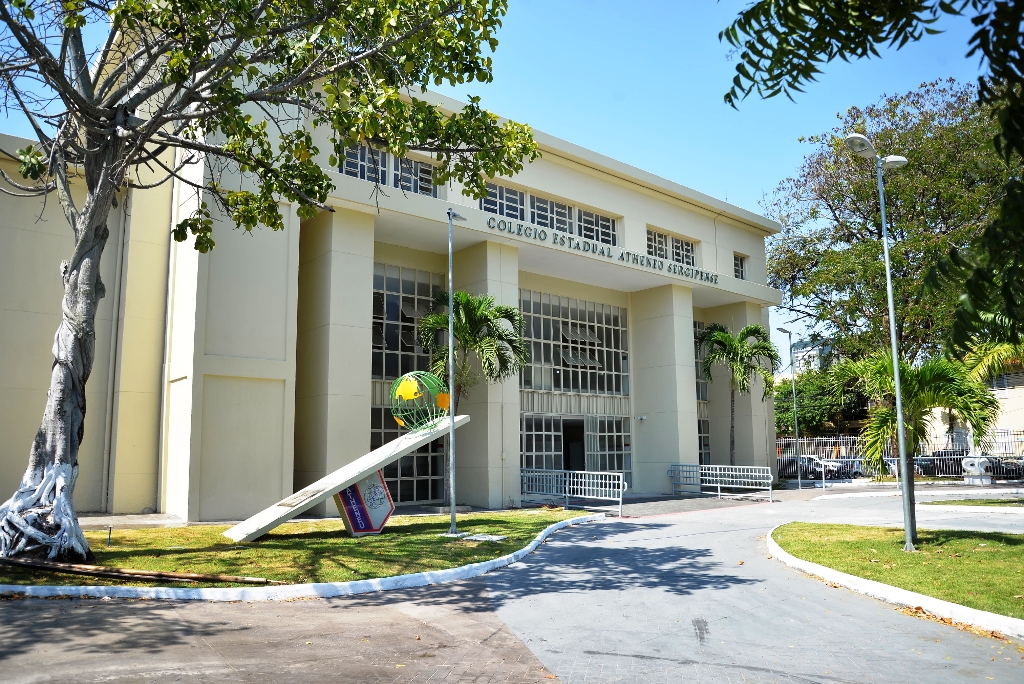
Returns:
point(230, 403)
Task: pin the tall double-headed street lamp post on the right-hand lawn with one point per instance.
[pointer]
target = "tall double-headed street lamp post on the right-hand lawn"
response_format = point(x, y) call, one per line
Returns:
point(862, 147)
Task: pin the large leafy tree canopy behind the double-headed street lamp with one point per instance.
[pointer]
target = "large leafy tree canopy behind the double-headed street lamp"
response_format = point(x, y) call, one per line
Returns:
point(828, 261)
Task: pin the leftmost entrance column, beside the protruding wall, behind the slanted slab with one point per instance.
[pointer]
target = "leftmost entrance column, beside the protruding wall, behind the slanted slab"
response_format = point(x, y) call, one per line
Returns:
point(333, 371)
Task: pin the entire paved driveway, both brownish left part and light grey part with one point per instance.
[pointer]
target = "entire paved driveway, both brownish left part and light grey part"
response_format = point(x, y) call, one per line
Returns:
point(657, 600)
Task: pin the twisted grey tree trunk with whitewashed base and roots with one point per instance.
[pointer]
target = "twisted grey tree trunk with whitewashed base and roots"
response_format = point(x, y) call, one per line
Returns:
point(39, 520)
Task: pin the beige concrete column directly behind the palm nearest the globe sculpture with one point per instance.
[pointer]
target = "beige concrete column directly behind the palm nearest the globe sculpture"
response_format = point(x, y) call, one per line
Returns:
point(488, 449)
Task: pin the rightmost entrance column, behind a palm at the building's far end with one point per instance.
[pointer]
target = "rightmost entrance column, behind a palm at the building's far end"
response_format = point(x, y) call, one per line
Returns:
point(755, 418)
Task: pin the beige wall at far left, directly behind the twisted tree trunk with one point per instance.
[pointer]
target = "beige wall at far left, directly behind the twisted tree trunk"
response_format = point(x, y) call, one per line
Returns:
point(34, 238)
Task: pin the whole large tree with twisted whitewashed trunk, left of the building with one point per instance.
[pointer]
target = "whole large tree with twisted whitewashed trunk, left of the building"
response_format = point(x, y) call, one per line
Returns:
point(224, 98)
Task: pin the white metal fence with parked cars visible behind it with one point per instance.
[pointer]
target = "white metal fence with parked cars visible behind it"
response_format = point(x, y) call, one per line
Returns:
point(843, 457)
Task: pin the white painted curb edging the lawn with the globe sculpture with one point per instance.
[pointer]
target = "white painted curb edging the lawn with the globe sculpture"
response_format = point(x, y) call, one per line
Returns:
point(317, 590)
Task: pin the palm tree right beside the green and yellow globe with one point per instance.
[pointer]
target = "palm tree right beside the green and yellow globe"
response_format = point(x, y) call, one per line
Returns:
point(489, 334)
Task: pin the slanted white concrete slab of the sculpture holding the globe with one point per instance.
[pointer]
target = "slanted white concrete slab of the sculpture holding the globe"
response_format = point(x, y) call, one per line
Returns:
point(327, 487)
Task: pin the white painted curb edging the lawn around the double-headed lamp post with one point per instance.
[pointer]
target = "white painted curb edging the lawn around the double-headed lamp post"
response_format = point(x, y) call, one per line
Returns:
point(961, 614)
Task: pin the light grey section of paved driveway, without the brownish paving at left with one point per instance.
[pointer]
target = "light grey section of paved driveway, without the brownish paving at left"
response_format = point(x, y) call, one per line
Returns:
point(694, 598)
